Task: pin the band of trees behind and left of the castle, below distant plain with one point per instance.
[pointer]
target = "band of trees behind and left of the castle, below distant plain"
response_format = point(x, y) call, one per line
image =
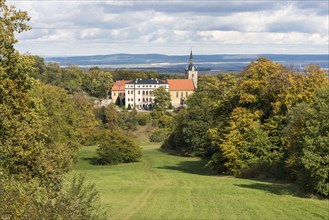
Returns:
point(95, 82)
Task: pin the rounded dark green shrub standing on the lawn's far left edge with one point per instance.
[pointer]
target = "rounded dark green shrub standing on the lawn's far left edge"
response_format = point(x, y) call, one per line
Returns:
point(116, 148)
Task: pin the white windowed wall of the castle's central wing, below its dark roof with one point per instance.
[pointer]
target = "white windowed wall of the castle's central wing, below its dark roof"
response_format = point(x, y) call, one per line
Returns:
point(140, 96)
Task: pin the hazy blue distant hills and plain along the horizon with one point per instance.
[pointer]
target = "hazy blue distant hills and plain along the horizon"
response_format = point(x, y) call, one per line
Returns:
point(176, 64)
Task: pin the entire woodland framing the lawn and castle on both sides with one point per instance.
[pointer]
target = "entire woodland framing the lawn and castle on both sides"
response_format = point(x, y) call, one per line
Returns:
point(269, 121)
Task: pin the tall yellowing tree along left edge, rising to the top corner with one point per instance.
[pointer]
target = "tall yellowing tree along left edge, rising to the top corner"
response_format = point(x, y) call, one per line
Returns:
point(22, 119)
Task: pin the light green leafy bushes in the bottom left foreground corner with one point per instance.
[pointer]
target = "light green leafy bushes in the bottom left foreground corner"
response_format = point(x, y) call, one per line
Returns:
point(78, 200)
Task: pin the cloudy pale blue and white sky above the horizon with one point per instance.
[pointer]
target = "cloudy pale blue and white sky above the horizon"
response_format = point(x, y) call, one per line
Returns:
point(173, 27)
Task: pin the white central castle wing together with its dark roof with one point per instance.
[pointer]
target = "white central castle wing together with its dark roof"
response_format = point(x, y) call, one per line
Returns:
point(139, 93)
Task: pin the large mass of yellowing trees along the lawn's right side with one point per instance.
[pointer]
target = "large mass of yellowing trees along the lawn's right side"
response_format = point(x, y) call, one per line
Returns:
point(269, 121)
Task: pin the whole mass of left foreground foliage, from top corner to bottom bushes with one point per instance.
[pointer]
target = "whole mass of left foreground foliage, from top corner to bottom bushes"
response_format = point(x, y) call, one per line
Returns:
point(39, 134)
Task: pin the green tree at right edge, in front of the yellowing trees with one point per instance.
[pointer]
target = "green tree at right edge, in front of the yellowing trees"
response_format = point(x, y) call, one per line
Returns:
point(308, 141)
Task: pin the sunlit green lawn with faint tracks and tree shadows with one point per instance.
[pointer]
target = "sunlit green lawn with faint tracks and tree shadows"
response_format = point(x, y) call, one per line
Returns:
point(165, 186)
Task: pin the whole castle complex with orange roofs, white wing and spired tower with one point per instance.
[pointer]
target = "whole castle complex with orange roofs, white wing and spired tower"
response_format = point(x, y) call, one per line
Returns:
point(138, 93)
